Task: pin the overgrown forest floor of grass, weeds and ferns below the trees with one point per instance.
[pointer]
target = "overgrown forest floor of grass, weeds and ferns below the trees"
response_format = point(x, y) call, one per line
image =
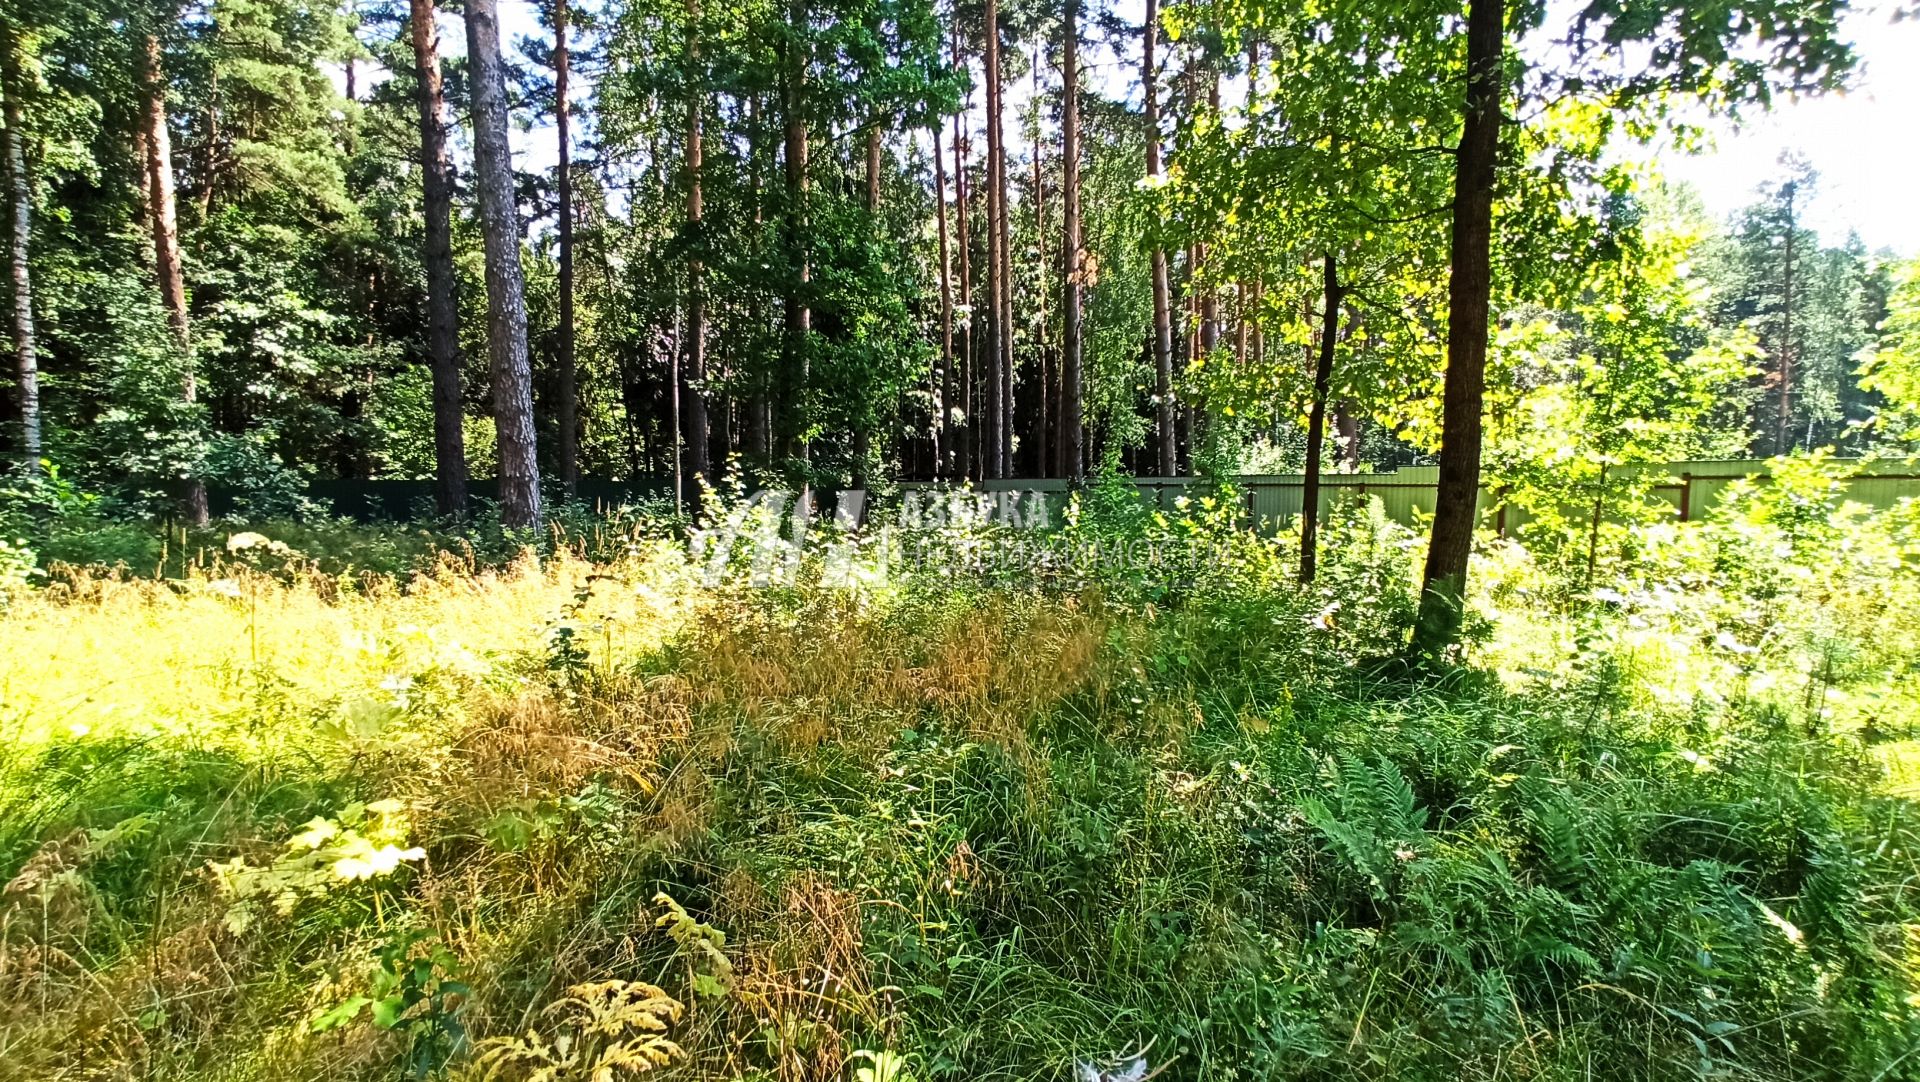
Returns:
point(556, 816)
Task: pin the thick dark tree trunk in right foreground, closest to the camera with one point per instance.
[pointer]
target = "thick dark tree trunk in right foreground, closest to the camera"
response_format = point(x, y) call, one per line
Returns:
point(1470, 294)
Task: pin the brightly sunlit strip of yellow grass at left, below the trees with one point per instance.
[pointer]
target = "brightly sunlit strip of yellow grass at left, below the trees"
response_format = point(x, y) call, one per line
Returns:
point(220, 653)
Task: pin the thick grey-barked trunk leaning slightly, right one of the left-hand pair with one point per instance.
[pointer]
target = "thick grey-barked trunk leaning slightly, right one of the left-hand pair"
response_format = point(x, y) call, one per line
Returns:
point(506, 285)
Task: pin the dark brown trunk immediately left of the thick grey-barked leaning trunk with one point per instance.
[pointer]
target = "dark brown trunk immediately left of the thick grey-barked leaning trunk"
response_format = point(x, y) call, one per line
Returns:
point(443, 316)
